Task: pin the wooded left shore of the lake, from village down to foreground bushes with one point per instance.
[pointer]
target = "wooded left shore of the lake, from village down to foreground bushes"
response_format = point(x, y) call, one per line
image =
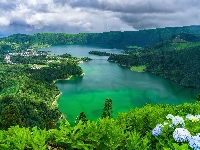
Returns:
point(27, 90)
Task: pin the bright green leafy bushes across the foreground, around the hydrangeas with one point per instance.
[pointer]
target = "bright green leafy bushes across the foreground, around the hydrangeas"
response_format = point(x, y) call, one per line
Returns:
point(130, 130)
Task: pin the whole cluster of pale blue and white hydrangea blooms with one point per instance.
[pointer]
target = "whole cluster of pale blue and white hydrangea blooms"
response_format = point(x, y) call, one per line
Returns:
point(180, 134)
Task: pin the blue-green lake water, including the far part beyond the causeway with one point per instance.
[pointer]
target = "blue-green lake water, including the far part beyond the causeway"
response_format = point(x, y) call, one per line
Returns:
point(105, 79)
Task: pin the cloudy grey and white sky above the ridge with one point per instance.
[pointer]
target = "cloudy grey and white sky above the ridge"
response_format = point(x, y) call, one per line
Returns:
point(75, 16)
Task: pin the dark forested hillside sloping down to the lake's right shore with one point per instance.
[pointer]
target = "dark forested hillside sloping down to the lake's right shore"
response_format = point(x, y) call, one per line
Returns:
point(176, 59)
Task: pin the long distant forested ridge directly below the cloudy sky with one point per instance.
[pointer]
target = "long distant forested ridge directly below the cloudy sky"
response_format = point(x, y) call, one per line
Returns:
point(114, 39)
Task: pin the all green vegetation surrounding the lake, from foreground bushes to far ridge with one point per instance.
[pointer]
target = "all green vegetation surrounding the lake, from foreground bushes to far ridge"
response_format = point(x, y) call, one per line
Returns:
point(30, 118)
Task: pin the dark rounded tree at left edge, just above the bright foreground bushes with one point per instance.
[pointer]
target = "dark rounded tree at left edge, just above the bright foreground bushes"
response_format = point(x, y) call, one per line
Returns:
point(10, 116)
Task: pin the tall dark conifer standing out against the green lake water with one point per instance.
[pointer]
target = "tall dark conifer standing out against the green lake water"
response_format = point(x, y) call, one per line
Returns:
point(107, 110)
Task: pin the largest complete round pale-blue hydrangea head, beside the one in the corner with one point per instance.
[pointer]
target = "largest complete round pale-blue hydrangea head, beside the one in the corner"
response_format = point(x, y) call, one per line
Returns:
point(181, 135)
